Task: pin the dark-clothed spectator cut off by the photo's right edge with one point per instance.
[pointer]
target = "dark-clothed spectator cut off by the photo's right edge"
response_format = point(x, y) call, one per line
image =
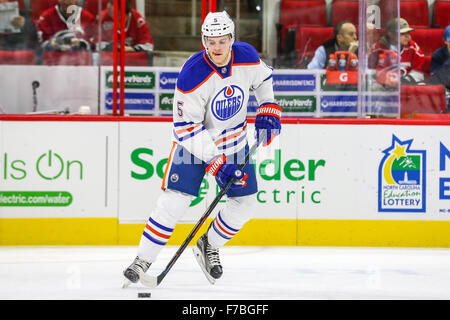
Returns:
point(440, 62)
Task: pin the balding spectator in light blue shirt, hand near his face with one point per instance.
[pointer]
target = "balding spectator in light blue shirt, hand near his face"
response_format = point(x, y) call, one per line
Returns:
point(345, 39)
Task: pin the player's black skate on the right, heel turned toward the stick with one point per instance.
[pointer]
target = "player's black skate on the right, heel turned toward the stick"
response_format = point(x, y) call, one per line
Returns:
point(208, 259)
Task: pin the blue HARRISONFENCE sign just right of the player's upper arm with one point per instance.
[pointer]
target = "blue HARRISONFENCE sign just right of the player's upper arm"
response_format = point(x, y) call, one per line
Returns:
point(294, 82)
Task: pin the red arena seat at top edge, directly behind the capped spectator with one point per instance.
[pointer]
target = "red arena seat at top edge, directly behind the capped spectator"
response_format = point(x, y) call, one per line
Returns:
point(414, 11)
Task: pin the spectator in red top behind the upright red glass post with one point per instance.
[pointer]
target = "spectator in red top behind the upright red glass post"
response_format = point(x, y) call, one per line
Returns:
point(137, 33)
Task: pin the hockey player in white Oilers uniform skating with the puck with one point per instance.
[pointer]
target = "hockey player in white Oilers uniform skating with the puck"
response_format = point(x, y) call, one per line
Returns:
point(210, 135)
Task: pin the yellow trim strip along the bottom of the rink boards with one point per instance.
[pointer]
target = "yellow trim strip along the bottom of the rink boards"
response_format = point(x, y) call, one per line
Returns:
point(257, 232)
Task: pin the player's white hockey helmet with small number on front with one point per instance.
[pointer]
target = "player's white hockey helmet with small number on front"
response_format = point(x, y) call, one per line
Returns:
point(217, 24)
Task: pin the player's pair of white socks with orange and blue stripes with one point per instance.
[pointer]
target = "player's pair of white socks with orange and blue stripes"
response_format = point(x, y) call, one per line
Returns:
point(171, 207)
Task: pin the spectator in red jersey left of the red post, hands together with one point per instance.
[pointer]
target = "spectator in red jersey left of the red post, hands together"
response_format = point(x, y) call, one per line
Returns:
point(66, 27)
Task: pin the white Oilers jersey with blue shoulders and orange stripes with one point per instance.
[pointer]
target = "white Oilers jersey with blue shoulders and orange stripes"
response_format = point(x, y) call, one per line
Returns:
point(210, 103)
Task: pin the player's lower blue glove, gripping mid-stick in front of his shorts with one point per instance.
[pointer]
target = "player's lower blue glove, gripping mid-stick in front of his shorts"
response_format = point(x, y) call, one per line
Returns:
point(225, 171)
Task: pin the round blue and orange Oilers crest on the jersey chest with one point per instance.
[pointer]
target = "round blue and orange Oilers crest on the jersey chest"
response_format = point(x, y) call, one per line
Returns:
point(227, 102)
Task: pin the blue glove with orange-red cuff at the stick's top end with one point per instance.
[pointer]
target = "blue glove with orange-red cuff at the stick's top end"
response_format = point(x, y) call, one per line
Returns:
point(268, 117)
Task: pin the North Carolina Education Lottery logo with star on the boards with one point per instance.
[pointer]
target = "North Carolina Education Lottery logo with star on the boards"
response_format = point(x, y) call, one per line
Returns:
point(401, 178)
